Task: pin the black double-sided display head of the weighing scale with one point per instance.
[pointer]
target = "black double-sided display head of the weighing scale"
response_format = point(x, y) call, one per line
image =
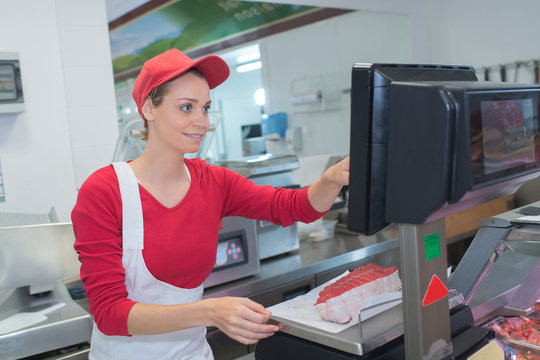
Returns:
point(423, 136)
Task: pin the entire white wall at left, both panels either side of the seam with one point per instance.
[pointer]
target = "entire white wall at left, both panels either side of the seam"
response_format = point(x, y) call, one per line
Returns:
point(53, 39)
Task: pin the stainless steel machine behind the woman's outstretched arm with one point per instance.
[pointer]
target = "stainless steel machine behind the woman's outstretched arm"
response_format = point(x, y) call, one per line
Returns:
point(274, 170)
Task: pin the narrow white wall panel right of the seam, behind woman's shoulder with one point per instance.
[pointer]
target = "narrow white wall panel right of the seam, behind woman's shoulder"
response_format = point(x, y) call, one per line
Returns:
point(88, 79)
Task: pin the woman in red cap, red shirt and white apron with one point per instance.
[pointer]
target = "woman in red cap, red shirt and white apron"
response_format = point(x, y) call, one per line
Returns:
point(146, 231)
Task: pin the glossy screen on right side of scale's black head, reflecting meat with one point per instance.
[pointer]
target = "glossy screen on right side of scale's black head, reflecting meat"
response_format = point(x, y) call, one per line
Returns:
point(504, 136)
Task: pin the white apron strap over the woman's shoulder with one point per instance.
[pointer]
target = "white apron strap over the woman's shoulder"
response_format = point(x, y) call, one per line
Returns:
point(132, 216)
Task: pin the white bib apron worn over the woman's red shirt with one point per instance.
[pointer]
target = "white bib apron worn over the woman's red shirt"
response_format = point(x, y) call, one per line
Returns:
point(145, 288)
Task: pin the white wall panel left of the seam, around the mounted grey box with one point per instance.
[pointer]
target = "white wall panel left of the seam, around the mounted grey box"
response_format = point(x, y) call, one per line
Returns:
point(34, 145)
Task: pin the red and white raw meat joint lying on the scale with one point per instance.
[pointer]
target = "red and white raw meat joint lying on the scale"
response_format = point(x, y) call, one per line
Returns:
point(341, 301)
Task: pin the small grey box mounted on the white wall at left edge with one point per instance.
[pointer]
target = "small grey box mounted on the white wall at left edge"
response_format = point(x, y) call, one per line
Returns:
point(11, 94)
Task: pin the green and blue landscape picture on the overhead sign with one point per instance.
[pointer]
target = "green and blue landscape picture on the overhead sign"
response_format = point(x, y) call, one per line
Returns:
point(191, 24)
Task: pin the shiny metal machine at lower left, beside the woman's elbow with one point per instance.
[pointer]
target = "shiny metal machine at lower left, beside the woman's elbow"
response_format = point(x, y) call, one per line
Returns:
point(37, 313)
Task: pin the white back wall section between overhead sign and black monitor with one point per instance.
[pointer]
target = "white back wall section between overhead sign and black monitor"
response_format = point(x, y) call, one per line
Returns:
point(329, 49)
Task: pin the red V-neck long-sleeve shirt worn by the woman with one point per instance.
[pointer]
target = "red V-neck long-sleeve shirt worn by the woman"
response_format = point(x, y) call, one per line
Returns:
point(179, 243)
